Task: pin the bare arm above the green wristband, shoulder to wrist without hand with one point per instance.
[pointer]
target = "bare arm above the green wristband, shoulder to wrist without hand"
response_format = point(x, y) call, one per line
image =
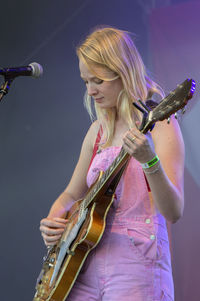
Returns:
point(167, 184)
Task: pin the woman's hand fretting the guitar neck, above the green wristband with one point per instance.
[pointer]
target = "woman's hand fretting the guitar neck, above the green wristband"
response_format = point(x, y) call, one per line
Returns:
point(138, 145)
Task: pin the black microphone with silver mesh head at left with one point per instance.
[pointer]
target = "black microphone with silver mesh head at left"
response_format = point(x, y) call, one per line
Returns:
point(33, 69)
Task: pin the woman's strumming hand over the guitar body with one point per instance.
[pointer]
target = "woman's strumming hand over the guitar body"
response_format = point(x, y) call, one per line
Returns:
point(52, 229)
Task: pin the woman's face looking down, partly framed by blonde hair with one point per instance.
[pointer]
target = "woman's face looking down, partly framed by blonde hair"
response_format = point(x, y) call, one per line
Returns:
point(105, 93)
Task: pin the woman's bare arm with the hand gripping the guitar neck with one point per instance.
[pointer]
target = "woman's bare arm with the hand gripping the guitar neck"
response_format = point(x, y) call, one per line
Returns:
point(166, 180)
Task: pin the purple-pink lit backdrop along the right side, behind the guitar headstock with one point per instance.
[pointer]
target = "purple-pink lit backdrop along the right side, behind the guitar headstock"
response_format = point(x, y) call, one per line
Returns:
point(175, 49)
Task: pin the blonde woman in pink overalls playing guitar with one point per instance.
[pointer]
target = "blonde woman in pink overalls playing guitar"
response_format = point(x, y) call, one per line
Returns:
point(132, 260)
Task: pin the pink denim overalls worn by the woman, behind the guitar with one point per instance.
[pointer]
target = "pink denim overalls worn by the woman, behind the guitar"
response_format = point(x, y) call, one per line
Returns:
point(132, 261)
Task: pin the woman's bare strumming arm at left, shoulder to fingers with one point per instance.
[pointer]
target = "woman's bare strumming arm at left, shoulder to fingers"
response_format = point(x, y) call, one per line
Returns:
point(52, 227)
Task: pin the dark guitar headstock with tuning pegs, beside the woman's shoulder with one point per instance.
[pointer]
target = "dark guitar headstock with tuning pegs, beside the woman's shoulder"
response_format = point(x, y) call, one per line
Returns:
point(172, 103)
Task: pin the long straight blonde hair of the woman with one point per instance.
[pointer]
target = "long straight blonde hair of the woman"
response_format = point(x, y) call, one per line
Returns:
point(115, 51)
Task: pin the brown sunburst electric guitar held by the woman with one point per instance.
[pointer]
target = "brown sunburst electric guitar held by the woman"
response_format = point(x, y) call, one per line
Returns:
point(87, 217)
